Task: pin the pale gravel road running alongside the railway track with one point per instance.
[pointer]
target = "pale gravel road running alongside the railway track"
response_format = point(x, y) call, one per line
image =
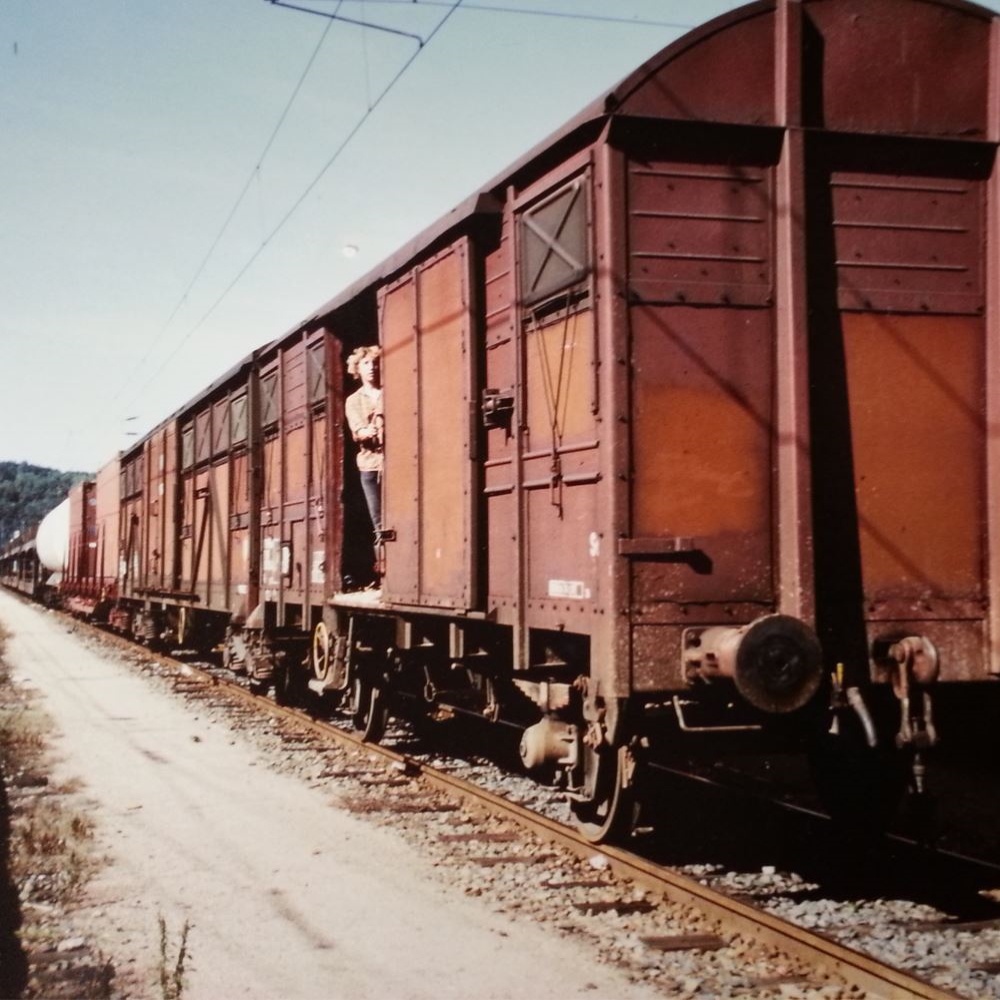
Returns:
point(286, 894)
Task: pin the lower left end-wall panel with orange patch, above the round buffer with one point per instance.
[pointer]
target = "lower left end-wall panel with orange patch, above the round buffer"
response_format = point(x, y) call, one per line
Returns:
point(701, 439)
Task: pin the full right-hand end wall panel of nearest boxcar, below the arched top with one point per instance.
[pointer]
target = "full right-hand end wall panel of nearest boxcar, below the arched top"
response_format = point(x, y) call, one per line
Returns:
point(896, 266)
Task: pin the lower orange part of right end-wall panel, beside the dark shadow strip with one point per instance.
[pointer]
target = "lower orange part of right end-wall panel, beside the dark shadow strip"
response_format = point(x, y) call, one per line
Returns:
point(900, 484)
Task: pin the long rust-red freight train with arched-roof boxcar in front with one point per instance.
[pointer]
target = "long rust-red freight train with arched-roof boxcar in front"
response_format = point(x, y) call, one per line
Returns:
point(687, 424)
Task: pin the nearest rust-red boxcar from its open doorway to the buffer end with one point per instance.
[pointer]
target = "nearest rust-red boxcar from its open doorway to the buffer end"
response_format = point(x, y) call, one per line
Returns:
point(698, 391)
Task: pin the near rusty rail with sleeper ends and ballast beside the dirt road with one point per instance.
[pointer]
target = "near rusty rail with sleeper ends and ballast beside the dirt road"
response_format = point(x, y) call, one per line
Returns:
point(663, 911)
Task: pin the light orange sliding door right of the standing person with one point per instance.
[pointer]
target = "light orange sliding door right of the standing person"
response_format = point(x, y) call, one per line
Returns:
point(428, 380)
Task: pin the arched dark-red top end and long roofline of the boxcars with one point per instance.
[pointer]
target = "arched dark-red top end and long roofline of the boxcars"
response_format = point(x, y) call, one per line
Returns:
point(904, 67)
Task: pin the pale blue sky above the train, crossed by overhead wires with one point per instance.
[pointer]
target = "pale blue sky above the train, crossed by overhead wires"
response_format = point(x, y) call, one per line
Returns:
point(130, 129)
